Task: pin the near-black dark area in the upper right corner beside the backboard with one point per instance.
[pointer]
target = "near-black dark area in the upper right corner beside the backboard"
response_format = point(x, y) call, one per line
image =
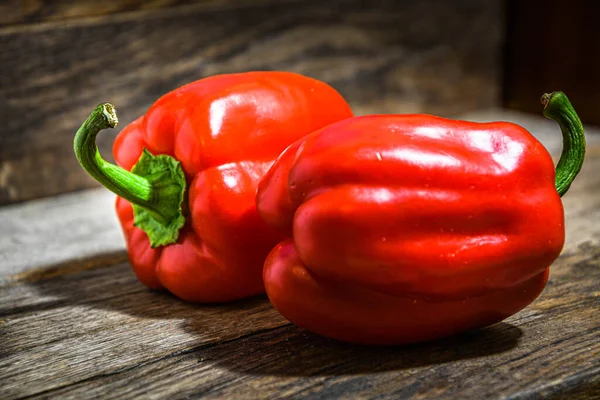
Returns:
point(553, 45)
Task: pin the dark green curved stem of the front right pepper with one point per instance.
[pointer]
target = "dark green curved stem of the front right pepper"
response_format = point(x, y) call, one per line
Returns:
point(558, 108)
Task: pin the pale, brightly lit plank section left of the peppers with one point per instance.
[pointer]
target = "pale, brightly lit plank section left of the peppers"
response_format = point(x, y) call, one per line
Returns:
point(67, 228)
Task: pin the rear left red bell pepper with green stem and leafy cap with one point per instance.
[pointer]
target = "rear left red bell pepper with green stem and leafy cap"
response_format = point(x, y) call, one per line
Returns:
point(188, 174)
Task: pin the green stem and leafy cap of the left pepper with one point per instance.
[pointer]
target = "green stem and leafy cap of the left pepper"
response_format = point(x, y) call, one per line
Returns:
point(155, 186)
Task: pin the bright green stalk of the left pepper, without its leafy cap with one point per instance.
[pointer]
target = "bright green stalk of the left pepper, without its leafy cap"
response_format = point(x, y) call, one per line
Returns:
point(134, 188)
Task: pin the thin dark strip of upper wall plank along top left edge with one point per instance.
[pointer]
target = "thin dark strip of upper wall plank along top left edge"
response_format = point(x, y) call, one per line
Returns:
point(33, 11)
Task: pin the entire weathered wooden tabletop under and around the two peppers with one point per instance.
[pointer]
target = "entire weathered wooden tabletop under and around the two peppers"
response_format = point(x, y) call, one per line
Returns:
point(75, 323)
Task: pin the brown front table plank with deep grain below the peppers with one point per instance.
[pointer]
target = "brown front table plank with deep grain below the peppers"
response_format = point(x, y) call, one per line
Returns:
point(146, 345)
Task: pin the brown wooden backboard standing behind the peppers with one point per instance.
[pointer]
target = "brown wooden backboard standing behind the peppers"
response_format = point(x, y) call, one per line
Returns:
point(383, 56)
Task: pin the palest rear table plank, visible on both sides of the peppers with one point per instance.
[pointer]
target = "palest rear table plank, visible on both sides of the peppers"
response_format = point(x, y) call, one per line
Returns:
point(80, 226)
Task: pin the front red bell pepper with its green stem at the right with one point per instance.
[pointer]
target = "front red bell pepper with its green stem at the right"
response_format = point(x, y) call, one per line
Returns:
point(412, 227)
